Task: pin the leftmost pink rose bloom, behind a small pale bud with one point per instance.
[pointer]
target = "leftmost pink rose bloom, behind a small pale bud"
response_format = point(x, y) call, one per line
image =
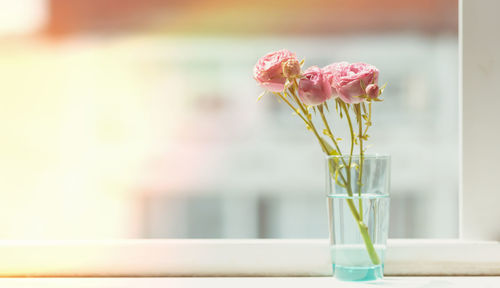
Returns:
point(268, 71)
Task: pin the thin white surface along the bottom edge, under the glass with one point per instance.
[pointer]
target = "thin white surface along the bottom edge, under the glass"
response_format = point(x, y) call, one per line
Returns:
point(259, 282)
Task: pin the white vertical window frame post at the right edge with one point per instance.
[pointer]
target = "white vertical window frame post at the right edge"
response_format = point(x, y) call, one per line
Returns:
point(478, 70)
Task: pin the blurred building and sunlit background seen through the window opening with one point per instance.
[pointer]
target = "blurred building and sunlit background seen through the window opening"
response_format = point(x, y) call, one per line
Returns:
point(138, 118)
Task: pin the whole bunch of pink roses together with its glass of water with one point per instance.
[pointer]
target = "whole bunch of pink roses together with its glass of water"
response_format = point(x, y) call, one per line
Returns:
point(358, 184)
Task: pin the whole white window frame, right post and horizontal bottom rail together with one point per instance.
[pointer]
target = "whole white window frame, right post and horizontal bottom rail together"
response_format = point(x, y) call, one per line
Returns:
point(476, 252)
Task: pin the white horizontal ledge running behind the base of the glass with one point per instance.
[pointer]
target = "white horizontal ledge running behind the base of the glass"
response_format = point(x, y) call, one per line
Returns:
point(254, 257)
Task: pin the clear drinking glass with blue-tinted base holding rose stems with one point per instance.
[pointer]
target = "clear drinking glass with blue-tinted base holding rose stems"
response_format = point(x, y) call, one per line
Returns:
point(358, 212)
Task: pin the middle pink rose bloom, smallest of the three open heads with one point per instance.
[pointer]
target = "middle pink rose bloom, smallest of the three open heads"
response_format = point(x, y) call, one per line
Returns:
point(314, 87)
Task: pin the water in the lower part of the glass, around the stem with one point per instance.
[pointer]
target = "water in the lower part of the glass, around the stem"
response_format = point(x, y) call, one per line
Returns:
point(350, 258)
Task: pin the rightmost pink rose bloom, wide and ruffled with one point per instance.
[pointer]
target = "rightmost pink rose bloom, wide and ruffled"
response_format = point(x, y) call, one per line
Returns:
point(349, 81)
